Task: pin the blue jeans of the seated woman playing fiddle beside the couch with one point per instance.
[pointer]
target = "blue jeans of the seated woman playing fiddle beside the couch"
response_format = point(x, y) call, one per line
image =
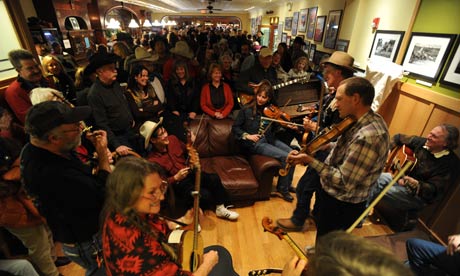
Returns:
point(279, 151)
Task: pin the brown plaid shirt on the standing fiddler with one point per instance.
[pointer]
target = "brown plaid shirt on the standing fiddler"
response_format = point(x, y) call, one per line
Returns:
point(356, 160)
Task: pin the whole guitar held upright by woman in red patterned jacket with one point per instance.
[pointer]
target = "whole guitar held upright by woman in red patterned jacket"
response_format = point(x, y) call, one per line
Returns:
point(191, 242)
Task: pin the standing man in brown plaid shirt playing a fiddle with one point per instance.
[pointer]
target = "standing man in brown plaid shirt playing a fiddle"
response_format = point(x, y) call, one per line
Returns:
point(354, 162)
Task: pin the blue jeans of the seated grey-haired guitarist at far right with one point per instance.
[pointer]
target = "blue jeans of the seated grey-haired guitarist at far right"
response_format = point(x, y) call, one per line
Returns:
point(397, 195)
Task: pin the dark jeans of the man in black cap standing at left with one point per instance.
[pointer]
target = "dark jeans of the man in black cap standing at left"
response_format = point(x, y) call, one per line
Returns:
point(84, 254)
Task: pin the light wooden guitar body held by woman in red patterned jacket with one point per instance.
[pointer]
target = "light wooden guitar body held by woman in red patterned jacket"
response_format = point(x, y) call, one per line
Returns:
point(189, 256)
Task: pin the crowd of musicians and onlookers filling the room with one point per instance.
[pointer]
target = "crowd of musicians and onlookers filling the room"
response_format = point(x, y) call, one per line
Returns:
point(138, 99)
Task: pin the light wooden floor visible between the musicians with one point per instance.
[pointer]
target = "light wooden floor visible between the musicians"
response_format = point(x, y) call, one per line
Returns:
point(250, 246)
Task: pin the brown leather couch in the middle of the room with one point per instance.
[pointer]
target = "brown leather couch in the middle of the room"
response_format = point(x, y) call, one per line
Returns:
point(246, 178)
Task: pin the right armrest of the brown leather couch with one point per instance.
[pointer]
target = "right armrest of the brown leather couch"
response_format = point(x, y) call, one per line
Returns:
point(264, 168)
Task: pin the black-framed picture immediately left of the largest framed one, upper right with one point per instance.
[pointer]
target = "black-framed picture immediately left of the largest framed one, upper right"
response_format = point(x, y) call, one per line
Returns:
point(386, 45)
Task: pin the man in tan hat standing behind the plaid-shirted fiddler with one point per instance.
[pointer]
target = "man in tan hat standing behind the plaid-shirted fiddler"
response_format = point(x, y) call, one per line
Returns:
point(336, 69)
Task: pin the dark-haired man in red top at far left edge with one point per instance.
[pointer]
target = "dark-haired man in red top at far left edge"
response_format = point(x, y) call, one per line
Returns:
point(30, 76)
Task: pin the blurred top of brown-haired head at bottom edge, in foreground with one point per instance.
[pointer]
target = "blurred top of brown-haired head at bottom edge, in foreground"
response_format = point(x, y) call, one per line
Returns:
point(342, 254)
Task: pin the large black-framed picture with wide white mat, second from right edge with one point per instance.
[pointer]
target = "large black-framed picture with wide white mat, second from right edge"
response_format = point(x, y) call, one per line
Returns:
point(426, 54)
